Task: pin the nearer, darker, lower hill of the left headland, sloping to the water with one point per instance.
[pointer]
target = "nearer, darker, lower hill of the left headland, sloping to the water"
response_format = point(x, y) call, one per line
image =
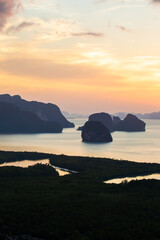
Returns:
point(14, 120)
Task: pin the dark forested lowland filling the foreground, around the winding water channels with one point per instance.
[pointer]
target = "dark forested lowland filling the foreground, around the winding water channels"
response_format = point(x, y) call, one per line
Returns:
point(37, 202)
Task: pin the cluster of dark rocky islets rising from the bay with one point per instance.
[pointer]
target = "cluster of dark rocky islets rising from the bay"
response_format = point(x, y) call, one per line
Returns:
point(100, 125)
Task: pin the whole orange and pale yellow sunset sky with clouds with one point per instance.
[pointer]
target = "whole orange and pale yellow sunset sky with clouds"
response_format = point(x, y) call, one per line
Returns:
point(85, 56)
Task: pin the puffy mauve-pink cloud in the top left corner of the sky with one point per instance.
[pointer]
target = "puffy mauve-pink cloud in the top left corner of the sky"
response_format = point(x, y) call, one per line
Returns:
point(8, 8)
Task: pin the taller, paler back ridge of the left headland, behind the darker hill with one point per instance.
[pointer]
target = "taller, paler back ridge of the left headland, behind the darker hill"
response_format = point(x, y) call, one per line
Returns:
point(45, 111)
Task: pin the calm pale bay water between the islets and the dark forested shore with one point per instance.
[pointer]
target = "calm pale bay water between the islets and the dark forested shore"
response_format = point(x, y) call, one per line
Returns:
point(137, 146)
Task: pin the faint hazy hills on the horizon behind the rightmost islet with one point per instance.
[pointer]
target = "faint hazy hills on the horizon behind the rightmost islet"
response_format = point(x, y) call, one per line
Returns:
point(153, 115)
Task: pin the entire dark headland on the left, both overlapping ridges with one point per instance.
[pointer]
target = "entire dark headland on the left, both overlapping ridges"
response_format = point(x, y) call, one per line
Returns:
point(20, 116)
